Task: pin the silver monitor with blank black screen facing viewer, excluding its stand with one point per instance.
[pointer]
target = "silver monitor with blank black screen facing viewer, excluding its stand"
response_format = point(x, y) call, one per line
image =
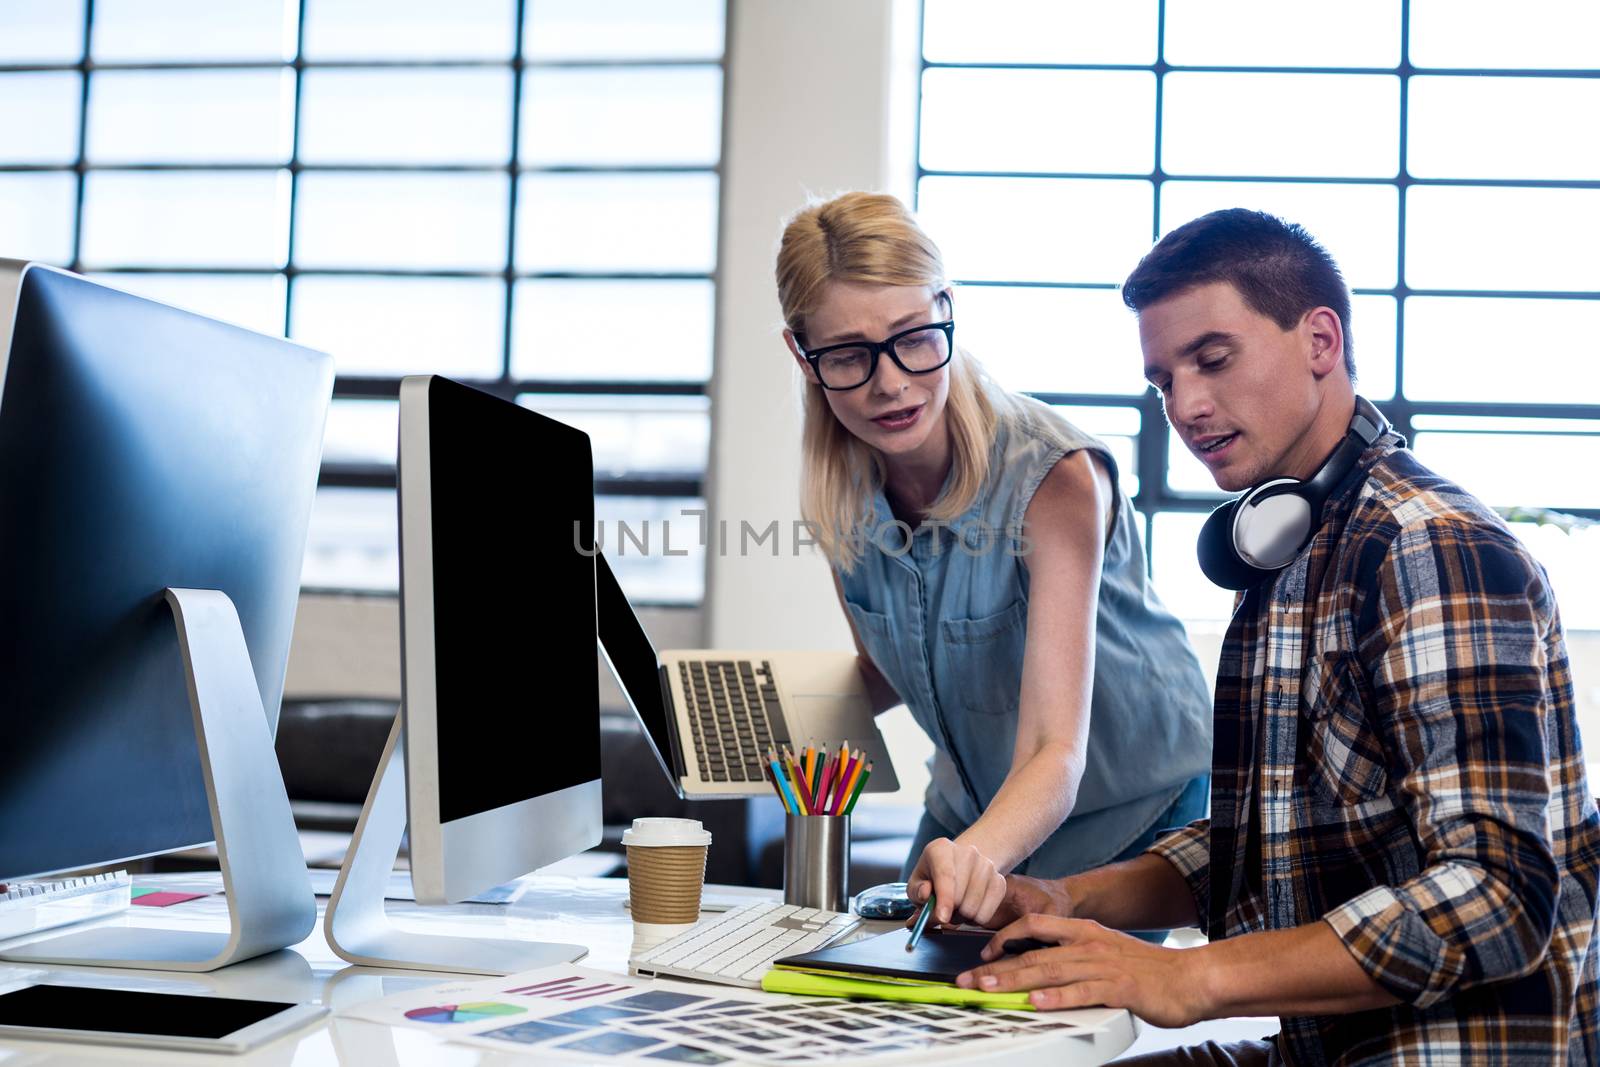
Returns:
point(498, 634)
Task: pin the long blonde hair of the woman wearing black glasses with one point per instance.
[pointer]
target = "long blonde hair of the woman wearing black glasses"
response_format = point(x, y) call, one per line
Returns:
point(873, 238)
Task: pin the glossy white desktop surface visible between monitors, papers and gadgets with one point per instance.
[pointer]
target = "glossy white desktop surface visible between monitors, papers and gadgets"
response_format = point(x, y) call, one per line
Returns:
point(586, 911)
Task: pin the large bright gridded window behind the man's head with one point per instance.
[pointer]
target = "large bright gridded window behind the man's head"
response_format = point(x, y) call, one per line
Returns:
point(1441, 150)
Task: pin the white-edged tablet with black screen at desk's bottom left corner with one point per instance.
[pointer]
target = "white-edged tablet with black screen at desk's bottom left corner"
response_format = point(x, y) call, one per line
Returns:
point(140, 1020)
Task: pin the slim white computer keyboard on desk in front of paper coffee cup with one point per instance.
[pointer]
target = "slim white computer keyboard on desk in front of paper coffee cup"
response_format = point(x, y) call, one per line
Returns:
point(740, 946)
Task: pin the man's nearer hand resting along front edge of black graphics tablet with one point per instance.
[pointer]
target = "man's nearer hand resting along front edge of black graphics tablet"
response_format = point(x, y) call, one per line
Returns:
point(1092, 965)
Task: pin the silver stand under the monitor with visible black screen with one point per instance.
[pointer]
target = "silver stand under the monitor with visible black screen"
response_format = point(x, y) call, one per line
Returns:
point(356, 924)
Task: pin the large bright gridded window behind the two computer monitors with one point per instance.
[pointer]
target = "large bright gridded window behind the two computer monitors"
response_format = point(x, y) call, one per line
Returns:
point(518, 194)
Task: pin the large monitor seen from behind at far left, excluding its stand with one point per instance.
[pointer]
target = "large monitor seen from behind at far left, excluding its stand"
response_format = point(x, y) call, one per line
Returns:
point(142, 449)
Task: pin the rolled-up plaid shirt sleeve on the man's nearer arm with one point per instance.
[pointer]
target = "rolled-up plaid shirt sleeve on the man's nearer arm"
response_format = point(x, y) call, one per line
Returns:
point(1452, 641)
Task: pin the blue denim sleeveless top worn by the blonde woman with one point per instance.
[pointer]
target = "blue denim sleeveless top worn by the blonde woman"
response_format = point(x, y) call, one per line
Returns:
point(945, 618)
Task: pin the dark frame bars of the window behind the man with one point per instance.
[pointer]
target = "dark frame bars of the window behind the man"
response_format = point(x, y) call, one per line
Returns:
point(1151, 446)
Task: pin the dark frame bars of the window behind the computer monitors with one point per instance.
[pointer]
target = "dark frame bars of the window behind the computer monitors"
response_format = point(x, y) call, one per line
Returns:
point(388, 388)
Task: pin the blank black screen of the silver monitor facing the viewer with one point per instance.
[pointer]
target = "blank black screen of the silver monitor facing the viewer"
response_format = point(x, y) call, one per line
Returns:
point(514, 602)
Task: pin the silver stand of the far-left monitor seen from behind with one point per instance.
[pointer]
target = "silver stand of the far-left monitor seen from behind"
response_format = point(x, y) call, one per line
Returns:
point(270, 900)
